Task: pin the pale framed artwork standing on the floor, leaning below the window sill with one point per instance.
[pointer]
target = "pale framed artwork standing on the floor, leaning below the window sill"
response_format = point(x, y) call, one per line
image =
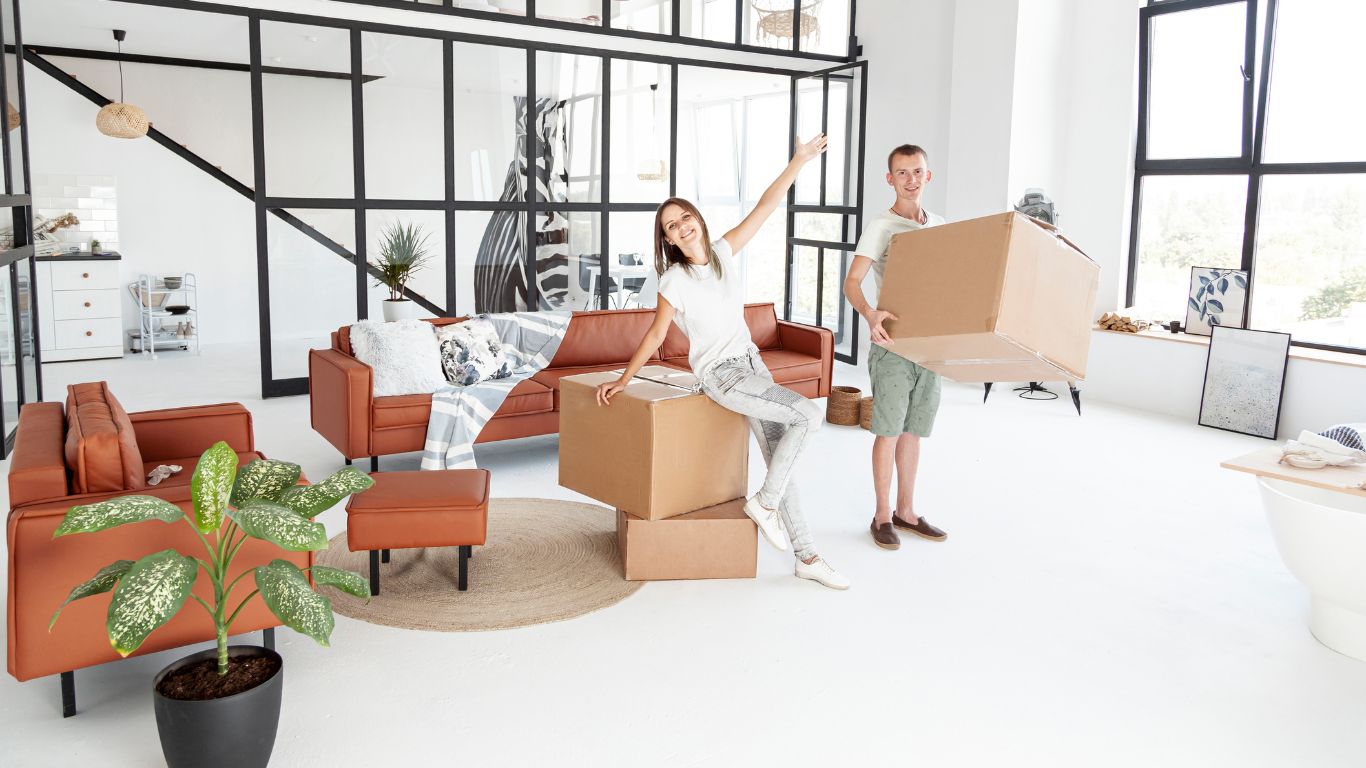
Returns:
point(1245, 381)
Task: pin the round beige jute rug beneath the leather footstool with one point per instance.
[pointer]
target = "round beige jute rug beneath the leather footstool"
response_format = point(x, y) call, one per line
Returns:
point(546, 561)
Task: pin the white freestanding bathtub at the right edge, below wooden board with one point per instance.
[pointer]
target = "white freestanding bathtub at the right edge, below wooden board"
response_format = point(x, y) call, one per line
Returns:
point(1322, 536)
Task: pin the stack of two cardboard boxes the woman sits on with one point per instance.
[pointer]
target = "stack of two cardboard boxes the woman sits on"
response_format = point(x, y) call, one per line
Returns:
point(673, 463)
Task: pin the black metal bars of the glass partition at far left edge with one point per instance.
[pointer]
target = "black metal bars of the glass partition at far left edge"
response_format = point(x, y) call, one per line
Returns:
point(21, 207)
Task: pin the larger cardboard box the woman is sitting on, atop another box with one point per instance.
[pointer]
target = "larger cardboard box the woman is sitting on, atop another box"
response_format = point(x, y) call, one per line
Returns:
point(659, 450)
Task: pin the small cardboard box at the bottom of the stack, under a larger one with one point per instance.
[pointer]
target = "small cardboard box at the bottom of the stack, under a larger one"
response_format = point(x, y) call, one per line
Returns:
point(714, 543)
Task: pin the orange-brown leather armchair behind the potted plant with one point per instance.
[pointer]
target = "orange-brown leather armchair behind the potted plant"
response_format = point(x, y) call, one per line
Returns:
point(92, 452)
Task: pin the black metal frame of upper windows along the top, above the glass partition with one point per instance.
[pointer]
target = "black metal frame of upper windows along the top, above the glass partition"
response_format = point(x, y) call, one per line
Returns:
point(737, 43)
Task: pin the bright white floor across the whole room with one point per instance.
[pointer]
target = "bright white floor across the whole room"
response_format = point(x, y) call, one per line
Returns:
point(1109, 596)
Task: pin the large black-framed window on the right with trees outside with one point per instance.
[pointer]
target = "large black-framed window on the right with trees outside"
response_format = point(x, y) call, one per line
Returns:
point(1249, 158)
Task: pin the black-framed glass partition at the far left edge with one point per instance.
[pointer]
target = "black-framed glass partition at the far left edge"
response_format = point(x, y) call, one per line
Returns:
point(21, 378)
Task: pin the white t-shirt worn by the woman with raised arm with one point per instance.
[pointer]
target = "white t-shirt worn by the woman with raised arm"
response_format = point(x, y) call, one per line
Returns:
point(710, 311)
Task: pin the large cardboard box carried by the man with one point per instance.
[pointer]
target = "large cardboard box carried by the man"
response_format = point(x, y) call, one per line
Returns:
point(1001, 299)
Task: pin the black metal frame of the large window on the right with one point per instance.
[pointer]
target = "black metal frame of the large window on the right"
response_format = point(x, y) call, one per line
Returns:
point(1251, 163)
